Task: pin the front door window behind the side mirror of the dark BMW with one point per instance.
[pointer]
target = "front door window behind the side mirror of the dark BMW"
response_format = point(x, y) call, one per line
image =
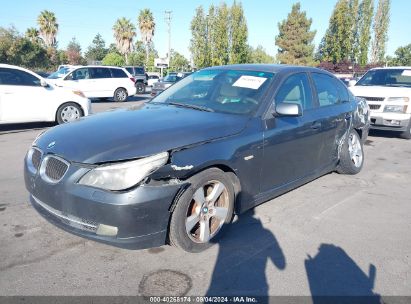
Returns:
point(296, 89)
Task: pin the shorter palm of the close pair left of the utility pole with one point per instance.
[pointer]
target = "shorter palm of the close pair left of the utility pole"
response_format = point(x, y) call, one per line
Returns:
point(124, 32)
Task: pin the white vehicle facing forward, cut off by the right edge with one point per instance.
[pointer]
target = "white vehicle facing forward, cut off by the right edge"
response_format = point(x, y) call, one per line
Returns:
point(388, 93)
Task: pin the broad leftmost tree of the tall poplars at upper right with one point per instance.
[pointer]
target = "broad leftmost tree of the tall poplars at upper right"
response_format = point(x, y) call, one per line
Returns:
point(338, 37)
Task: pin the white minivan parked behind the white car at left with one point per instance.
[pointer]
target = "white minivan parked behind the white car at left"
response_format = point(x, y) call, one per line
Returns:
point(100, 82)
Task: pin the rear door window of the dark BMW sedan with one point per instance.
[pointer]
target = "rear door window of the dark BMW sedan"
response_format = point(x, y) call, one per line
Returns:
point(327, 89)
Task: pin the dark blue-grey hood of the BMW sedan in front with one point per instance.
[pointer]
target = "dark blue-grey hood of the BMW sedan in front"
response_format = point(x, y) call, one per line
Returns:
point(136, 132)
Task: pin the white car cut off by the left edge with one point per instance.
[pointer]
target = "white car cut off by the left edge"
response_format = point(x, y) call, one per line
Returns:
point(27, 97)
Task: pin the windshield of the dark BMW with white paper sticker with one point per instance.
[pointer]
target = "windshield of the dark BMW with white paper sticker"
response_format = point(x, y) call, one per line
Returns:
point(225, 91)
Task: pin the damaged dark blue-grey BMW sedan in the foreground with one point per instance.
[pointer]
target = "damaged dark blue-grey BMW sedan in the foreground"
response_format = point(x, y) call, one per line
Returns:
point(218, 142)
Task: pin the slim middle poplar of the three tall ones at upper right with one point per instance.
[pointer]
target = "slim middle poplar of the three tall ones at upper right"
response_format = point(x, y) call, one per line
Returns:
point(364, 28)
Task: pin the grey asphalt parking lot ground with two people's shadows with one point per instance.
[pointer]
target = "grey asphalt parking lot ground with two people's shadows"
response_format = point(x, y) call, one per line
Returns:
point(338, 235)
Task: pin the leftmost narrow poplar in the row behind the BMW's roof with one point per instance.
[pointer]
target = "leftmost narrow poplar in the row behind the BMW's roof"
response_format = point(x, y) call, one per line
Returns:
point(199, 42)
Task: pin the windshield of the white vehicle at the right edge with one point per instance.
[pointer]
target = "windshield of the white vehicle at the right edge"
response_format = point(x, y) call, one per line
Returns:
point(386, 77)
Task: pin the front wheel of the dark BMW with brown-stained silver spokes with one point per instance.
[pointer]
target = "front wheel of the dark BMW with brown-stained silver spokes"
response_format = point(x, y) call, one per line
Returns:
point(200, 205)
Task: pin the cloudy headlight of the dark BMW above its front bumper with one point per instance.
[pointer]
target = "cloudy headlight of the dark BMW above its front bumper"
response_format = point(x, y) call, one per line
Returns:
point(124, 175)
